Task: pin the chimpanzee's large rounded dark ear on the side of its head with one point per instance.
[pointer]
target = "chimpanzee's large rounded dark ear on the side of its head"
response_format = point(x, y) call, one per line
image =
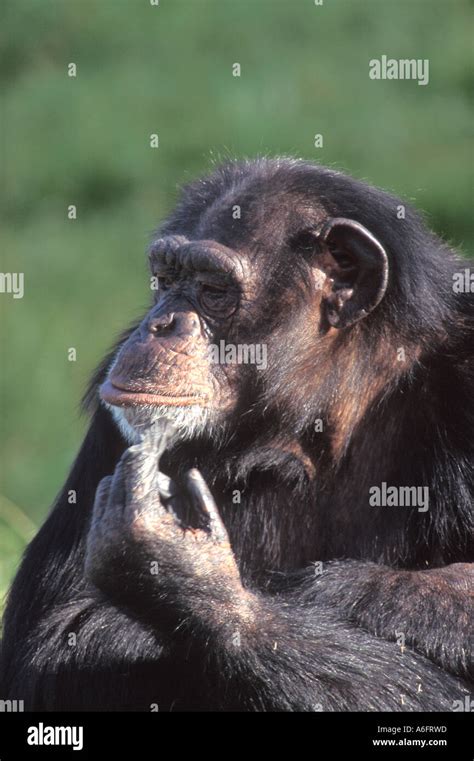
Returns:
point(357, 268)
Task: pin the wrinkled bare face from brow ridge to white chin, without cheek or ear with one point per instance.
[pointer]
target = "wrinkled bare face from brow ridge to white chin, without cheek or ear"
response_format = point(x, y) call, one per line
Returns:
point(166, 367)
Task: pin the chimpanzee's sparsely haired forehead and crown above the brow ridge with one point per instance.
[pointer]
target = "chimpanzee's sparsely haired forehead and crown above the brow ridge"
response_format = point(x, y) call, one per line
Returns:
point(253, 207)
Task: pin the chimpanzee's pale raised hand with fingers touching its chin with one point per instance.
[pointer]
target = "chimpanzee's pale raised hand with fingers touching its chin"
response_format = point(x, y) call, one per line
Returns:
point(139, 548)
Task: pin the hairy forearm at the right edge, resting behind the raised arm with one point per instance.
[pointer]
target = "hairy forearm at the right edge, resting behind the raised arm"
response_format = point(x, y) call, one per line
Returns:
point(430, 610)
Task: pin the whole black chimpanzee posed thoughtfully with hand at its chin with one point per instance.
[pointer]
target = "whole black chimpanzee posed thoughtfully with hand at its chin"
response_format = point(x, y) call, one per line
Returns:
point(272, 509)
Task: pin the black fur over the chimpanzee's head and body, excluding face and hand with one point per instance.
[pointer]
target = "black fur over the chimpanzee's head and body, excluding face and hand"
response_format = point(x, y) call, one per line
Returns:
point(316, 648)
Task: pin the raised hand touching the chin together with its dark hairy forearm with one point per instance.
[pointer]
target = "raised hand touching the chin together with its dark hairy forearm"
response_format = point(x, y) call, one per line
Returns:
point(253, 651)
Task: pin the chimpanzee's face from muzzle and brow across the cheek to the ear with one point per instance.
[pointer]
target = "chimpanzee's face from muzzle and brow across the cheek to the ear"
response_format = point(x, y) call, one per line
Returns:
point(290, 286)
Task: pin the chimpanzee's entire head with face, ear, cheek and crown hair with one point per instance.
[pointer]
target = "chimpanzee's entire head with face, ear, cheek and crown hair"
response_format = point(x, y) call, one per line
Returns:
point(267, 279)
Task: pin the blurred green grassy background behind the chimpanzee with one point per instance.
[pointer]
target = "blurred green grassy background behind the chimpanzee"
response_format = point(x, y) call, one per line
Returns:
point(143, 69)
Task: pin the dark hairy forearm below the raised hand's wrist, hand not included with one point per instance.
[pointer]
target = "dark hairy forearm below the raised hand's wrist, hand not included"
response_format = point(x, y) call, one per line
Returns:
point(291, 657)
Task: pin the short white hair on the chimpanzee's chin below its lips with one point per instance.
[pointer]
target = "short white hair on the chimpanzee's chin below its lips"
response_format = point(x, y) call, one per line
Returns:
point(189, 421)
